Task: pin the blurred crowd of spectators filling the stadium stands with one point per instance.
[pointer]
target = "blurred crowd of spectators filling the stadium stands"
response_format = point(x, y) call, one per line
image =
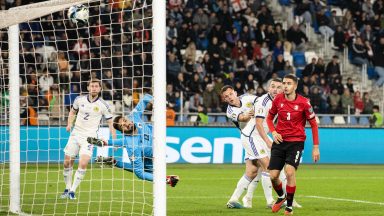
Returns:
point(209, 44)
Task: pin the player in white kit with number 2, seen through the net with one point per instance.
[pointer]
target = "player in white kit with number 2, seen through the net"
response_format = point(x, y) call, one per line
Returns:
point(88, 110)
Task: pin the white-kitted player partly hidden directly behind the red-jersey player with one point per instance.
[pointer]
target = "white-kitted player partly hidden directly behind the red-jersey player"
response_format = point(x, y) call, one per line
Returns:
point(263, 141)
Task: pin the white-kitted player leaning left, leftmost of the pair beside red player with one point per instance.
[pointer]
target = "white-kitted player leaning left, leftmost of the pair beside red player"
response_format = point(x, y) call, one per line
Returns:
point(241, 111)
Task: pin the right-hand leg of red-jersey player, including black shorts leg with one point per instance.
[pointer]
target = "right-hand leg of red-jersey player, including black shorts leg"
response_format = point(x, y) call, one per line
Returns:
point(294, 153)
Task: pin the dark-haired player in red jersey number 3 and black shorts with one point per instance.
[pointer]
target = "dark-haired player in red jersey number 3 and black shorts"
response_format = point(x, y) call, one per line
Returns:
point(293, 111)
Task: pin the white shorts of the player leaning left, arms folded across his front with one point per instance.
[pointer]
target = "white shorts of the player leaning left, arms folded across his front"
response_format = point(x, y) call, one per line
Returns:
point(255, 147)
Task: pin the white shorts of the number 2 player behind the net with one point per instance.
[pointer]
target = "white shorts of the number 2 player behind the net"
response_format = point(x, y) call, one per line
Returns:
point(78, 145)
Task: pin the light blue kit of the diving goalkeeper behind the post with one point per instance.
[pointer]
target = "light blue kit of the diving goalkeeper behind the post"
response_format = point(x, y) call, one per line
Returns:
point(139, 146)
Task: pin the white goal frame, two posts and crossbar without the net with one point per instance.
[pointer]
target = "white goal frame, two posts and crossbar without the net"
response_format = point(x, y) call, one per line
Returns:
point(11, 19)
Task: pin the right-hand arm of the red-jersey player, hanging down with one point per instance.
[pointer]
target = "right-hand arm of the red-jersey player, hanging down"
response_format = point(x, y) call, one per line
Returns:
point(311, 116)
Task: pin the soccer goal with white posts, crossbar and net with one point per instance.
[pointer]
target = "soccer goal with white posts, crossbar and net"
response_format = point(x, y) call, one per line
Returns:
point(46, 61)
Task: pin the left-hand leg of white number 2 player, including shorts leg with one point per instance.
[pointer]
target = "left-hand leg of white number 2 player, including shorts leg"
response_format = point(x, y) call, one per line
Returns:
point(71, 150)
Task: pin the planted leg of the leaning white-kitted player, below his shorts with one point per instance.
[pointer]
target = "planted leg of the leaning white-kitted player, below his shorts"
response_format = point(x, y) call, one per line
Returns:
point(243, 183)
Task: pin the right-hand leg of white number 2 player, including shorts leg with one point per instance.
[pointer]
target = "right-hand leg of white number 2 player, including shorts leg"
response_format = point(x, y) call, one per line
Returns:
point(85, 152)
